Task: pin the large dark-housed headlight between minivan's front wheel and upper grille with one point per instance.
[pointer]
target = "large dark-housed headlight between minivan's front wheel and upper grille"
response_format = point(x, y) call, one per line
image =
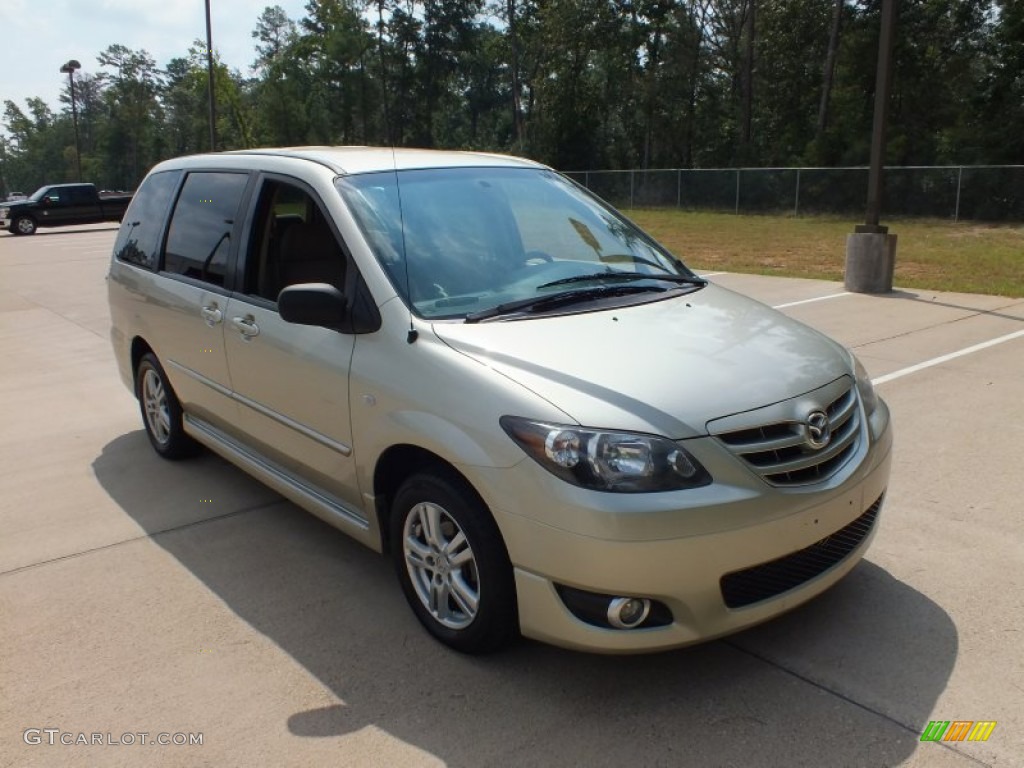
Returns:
point(618, 462)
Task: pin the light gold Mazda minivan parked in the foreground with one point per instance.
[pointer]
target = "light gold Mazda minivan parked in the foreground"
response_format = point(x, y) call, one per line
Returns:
point(467, 361)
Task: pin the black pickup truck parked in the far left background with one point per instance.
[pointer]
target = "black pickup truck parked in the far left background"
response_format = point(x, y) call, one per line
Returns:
point(60, 205)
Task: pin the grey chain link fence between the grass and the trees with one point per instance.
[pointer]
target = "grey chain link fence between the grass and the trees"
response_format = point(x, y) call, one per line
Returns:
point(972, 193)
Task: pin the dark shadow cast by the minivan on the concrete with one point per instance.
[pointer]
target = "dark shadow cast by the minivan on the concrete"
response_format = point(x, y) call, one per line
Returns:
point(849, 679)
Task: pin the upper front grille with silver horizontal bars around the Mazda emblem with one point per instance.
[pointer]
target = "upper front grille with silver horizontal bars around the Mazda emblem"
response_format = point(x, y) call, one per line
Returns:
point(782, 455)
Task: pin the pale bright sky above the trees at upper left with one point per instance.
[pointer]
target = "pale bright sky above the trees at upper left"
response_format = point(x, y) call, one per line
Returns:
point(38, 37)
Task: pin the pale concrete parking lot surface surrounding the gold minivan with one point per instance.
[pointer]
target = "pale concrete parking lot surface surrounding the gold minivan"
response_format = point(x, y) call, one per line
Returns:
point(142, 596)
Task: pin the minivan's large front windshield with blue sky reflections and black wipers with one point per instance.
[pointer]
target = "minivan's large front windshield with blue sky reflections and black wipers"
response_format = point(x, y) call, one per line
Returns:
point(459, 242)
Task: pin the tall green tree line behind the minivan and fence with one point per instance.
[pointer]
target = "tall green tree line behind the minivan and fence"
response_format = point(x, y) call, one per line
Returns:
point(575, 83)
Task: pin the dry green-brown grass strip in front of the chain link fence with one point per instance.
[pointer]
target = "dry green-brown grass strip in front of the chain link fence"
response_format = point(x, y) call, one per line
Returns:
point(967, 258)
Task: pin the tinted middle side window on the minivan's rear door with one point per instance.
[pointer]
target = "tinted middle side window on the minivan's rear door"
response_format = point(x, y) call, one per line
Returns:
point(200, 236)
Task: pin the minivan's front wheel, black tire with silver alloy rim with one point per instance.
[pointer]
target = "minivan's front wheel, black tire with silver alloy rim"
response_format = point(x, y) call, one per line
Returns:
point(453, 565)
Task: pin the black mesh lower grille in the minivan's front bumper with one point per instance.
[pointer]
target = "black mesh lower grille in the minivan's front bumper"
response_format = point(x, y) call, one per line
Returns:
point(771, 579)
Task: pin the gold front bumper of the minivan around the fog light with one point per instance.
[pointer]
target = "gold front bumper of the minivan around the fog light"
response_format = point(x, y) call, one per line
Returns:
point(686, 573)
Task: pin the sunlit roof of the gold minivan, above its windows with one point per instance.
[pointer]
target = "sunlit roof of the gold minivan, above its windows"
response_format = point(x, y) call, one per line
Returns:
point(349, 160)
